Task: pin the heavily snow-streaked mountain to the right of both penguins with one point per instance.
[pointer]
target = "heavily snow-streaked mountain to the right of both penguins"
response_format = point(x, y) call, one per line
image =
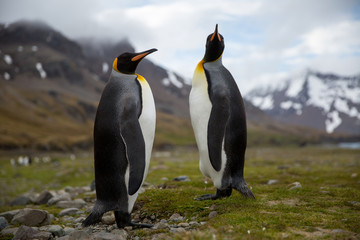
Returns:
point(323, 101)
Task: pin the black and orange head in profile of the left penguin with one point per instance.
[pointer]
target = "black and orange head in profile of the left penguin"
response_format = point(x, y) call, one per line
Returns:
point(127, 62)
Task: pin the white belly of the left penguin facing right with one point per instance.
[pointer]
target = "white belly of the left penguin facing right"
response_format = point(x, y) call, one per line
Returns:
point(147, 122)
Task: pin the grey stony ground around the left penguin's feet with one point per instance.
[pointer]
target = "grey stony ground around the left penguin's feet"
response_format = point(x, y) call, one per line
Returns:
point(74, 205)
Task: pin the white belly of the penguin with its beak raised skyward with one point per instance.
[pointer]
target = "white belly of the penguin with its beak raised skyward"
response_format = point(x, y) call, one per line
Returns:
point(200, 109)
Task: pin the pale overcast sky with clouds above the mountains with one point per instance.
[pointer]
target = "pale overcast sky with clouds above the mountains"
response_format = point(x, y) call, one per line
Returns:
point(264, 40)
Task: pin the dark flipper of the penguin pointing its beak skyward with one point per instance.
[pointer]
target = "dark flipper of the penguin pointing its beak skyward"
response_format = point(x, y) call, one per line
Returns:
point(216, 127)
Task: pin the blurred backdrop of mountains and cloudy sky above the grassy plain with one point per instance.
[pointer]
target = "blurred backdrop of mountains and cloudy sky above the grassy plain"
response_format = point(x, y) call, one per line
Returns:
point(296, 63)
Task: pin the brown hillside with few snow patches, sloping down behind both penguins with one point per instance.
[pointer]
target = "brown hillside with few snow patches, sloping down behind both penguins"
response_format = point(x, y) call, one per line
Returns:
point(50, 87)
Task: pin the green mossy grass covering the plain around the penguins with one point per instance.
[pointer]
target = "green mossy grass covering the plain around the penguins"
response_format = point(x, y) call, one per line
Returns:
point(330, 180)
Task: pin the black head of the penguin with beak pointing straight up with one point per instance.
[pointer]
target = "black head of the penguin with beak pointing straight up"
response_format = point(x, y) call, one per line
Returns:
point(214, 46)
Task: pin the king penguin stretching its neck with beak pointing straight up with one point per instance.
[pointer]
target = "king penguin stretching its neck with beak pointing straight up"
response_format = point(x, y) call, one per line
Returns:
point(218, 118)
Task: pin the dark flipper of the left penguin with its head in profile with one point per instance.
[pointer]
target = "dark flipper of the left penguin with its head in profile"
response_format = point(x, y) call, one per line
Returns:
point(131, 134)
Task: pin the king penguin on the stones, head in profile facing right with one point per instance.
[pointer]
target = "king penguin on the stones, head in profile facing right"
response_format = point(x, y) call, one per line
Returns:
point(124, 132)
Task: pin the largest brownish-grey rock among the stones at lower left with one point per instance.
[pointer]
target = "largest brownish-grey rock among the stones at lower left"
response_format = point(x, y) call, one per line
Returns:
point(31, 217)
